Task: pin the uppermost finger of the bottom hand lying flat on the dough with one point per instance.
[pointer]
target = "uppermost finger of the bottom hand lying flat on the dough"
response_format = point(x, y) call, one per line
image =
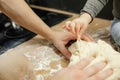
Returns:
point(83, 63)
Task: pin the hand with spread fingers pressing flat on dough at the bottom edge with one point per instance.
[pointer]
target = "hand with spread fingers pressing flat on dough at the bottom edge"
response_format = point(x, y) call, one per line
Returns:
point(79, 72)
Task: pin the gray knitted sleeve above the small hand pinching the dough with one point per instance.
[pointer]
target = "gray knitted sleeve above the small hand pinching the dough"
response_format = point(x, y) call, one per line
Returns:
point(93, 7)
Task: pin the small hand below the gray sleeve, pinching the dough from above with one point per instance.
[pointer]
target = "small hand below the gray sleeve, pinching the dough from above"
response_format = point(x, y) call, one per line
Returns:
point(78, 25)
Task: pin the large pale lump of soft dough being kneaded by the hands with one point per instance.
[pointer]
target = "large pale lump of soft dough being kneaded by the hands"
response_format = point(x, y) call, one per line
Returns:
point(101, 50)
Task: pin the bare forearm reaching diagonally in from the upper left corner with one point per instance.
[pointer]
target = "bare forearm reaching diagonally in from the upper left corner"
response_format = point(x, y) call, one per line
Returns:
point(21, 13)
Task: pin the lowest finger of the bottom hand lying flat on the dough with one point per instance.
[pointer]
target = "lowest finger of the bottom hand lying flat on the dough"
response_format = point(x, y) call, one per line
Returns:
point(101, 76)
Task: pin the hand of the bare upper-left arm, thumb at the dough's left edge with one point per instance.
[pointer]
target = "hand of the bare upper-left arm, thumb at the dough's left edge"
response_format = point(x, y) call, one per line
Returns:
point(61, 39)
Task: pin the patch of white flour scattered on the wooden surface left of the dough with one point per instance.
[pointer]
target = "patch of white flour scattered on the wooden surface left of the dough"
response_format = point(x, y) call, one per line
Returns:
point(42, 59)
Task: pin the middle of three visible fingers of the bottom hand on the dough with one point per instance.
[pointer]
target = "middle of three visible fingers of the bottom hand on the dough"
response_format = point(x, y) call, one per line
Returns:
point(94, 68)
